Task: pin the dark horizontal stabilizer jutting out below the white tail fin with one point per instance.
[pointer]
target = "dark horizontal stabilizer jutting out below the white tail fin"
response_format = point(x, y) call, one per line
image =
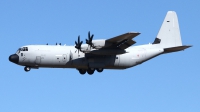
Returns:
point(175, 49)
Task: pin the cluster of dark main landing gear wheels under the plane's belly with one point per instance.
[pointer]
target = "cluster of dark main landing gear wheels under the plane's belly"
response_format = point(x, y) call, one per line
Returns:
point(90, 71)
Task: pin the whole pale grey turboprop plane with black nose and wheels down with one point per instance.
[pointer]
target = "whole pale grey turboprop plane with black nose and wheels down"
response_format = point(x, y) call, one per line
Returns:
point(113, 53)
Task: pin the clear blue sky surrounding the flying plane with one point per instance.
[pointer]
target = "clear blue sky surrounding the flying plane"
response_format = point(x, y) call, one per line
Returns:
point(166, 83)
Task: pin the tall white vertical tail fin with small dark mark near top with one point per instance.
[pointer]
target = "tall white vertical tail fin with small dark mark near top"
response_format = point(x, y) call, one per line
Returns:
point(169, 34)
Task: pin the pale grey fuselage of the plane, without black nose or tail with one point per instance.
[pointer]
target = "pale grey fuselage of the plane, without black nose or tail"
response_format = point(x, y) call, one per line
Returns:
point(56, 56)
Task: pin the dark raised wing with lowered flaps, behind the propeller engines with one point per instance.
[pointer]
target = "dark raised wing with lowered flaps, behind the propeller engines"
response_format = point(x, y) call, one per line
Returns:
point(122, 41)
